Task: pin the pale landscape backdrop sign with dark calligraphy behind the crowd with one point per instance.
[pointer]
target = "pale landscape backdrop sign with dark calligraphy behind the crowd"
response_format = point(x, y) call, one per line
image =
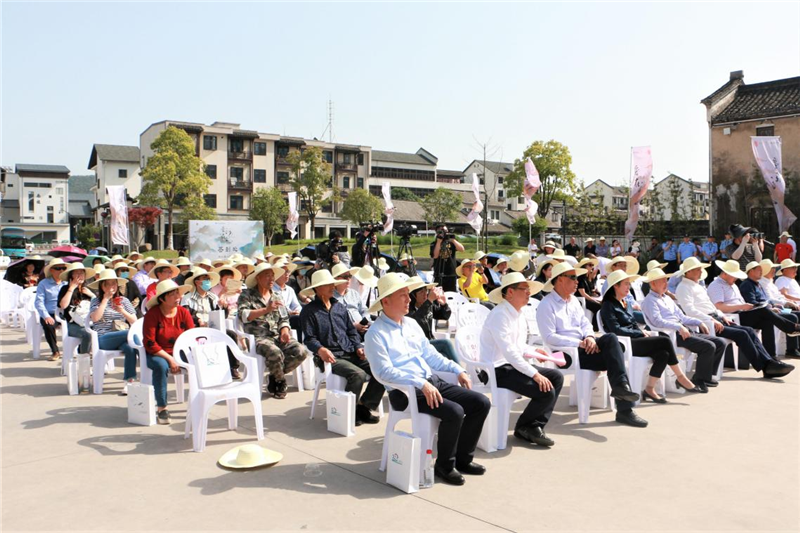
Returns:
point(219, 239)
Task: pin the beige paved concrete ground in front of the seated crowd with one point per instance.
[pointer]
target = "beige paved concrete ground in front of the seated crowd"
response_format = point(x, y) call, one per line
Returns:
point(725, 461)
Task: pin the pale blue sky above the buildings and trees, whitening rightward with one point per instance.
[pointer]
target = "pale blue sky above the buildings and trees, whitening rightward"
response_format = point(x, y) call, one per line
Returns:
point(598, 77)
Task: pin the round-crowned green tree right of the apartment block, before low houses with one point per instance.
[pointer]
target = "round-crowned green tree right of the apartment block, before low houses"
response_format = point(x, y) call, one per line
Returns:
point(552, 160)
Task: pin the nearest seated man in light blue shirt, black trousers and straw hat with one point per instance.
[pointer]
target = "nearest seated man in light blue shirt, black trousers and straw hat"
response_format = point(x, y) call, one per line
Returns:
point(400, 354)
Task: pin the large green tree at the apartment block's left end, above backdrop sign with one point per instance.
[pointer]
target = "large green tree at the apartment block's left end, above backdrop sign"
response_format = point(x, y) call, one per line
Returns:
point(174, 176)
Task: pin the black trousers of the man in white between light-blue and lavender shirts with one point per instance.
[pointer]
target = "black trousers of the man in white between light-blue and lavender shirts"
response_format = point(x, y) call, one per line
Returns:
point(538, 411)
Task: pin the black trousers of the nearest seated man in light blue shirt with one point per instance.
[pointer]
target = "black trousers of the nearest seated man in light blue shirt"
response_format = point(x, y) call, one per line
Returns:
point(462, 415)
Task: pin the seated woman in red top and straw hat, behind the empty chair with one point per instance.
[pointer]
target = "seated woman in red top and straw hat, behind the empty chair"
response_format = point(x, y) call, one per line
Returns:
point(164, 322)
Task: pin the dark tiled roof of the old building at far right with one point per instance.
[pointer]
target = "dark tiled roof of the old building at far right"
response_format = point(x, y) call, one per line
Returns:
point(761, 100)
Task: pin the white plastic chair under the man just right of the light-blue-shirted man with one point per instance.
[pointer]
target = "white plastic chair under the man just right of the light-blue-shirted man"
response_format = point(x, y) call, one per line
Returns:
point(468, 347)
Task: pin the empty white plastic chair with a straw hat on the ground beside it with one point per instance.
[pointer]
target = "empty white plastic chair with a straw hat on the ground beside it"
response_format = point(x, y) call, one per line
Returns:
point(202, 399)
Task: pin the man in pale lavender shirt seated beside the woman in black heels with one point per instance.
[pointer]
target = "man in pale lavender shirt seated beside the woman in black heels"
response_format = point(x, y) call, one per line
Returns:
point(562, 323)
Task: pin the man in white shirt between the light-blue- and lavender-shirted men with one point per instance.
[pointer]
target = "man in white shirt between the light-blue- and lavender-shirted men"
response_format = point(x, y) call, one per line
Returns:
point(504, 345)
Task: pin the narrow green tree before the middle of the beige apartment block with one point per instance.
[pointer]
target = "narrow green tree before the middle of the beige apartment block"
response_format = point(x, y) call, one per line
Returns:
point(311, 179)
